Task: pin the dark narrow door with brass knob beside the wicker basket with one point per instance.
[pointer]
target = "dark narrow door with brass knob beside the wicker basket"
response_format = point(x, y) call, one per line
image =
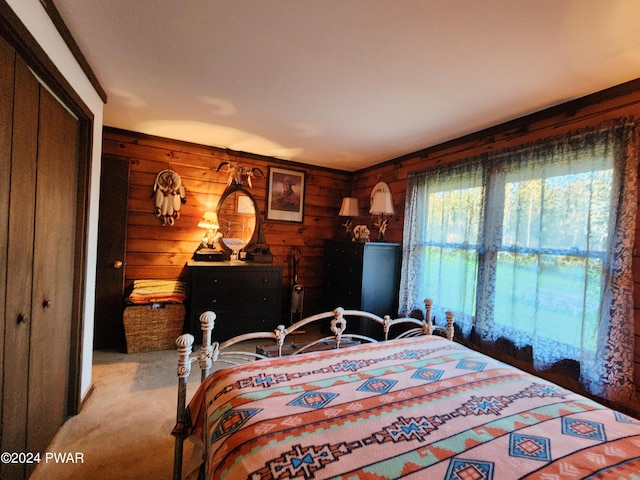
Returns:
point(112, 228)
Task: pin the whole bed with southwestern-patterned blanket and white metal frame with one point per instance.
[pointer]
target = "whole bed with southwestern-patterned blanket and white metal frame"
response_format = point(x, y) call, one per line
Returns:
point(418, 406)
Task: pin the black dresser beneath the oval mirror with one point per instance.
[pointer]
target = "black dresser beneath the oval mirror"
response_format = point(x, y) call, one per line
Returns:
point(245, 297)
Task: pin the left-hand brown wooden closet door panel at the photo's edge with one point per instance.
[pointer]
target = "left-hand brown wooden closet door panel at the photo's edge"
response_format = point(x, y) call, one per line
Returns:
point(19, 260)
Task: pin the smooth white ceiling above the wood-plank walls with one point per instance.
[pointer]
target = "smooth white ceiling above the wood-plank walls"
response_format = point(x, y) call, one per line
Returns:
point(346, 83)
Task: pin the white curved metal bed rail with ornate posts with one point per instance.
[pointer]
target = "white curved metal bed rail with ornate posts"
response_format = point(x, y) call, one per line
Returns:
point(211, 352)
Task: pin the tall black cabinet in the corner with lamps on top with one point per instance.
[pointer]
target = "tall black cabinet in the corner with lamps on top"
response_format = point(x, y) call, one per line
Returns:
point(363, 276)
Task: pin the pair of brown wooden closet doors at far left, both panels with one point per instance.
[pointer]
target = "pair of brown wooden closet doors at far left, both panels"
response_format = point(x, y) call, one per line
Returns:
point(39, 264)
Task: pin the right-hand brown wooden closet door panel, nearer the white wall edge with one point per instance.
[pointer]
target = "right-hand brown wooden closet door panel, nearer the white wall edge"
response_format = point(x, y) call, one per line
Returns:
point(53, 267)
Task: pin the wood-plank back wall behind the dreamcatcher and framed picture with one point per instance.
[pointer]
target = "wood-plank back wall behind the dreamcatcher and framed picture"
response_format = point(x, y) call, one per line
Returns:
point(161, 252)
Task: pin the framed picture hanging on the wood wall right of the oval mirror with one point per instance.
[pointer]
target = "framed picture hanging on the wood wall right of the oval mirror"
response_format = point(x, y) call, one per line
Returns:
point(285, 195)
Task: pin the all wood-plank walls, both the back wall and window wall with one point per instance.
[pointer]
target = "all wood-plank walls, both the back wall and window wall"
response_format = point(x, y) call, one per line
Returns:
point(154, 251)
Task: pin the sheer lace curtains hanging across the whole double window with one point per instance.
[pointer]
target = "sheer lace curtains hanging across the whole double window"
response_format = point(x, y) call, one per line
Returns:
point(534, 245)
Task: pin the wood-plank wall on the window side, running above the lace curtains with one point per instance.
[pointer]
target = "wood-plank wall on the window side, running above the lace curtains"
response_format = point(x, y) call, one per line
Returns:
point(617, 102)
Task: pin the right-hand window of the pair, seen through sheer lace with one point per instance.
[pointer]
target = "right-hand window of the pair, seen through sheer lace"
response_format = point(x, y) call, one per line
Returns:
point(550, 256)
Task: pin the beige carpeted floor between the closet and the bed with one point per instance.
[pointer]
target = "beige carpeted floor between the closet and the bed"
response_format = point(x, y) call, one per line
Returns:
point(124, 429)
